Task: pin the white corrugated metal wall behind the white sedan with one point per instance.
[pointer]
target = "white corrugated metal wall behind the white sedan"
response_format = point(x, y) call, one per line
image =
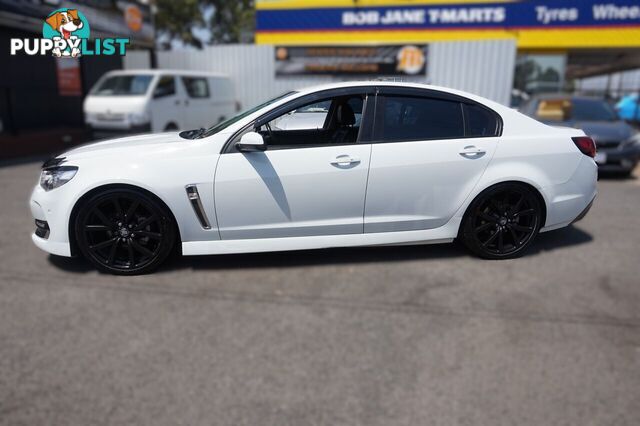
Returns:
point(481, 67)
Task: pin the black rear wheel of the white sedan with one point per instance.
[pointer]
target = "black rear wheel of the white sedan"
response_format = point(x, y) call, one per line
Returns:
point(502, 222)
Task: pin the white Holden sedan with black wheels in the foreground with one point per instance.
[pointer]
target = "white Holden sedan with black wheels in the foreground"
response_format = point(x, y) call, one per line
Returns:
point(387, 164)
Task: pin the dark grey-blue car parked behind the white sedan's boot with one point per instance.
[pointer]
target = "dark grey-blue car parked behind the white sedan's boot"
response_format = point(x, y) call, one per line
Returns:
point(616, 141)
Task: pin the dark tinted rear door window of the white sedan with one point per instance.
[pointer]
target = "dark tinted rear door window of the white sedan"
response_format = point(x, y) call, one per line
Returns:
point(408, 118)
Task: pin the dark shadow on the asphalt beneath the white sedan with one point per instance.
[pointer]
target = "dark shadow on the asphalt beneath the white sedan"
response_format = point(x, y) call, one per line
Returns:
point(556, 240)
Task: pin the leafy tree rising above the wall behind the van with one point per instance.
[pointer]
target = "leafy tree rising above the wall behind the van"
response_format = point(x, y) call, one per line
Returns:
point(229, 22)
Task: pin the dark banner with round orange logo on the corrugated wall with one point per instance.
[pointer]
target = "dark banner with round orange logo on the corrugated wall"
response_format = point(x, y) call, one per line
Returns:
point(351, 60)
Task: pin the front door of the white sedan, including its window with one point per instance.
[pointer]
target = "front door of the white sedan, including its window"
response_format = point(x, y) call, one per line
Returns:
point(311, 180)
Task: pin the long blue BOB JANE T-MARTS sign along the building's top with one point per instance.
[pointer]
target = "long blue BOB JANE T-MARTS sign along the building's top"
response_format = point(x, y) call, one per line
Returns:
point(510, 15)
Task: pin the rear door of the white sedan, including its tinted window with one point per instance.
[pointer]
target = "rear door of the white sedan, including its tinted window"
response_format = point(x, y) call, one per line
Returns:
point(429, 151)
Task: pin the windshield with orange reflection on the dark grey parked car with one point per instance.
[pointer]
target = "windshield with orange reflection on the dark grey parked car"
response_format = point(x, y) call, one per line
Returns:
point(575, 110)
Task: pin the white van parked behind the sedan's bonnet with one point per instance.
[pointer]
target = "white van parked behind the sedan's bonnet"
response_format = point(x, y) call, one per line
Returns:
point(140, 101)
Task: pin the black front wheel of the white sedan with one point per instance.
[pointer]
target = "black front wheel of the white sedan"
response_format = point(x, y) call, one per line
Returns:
point(124, 232)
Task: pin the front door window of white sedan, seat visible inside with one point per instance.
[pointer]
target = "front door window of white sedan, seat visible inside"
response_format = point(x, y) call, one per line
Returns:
point(321, 122)
